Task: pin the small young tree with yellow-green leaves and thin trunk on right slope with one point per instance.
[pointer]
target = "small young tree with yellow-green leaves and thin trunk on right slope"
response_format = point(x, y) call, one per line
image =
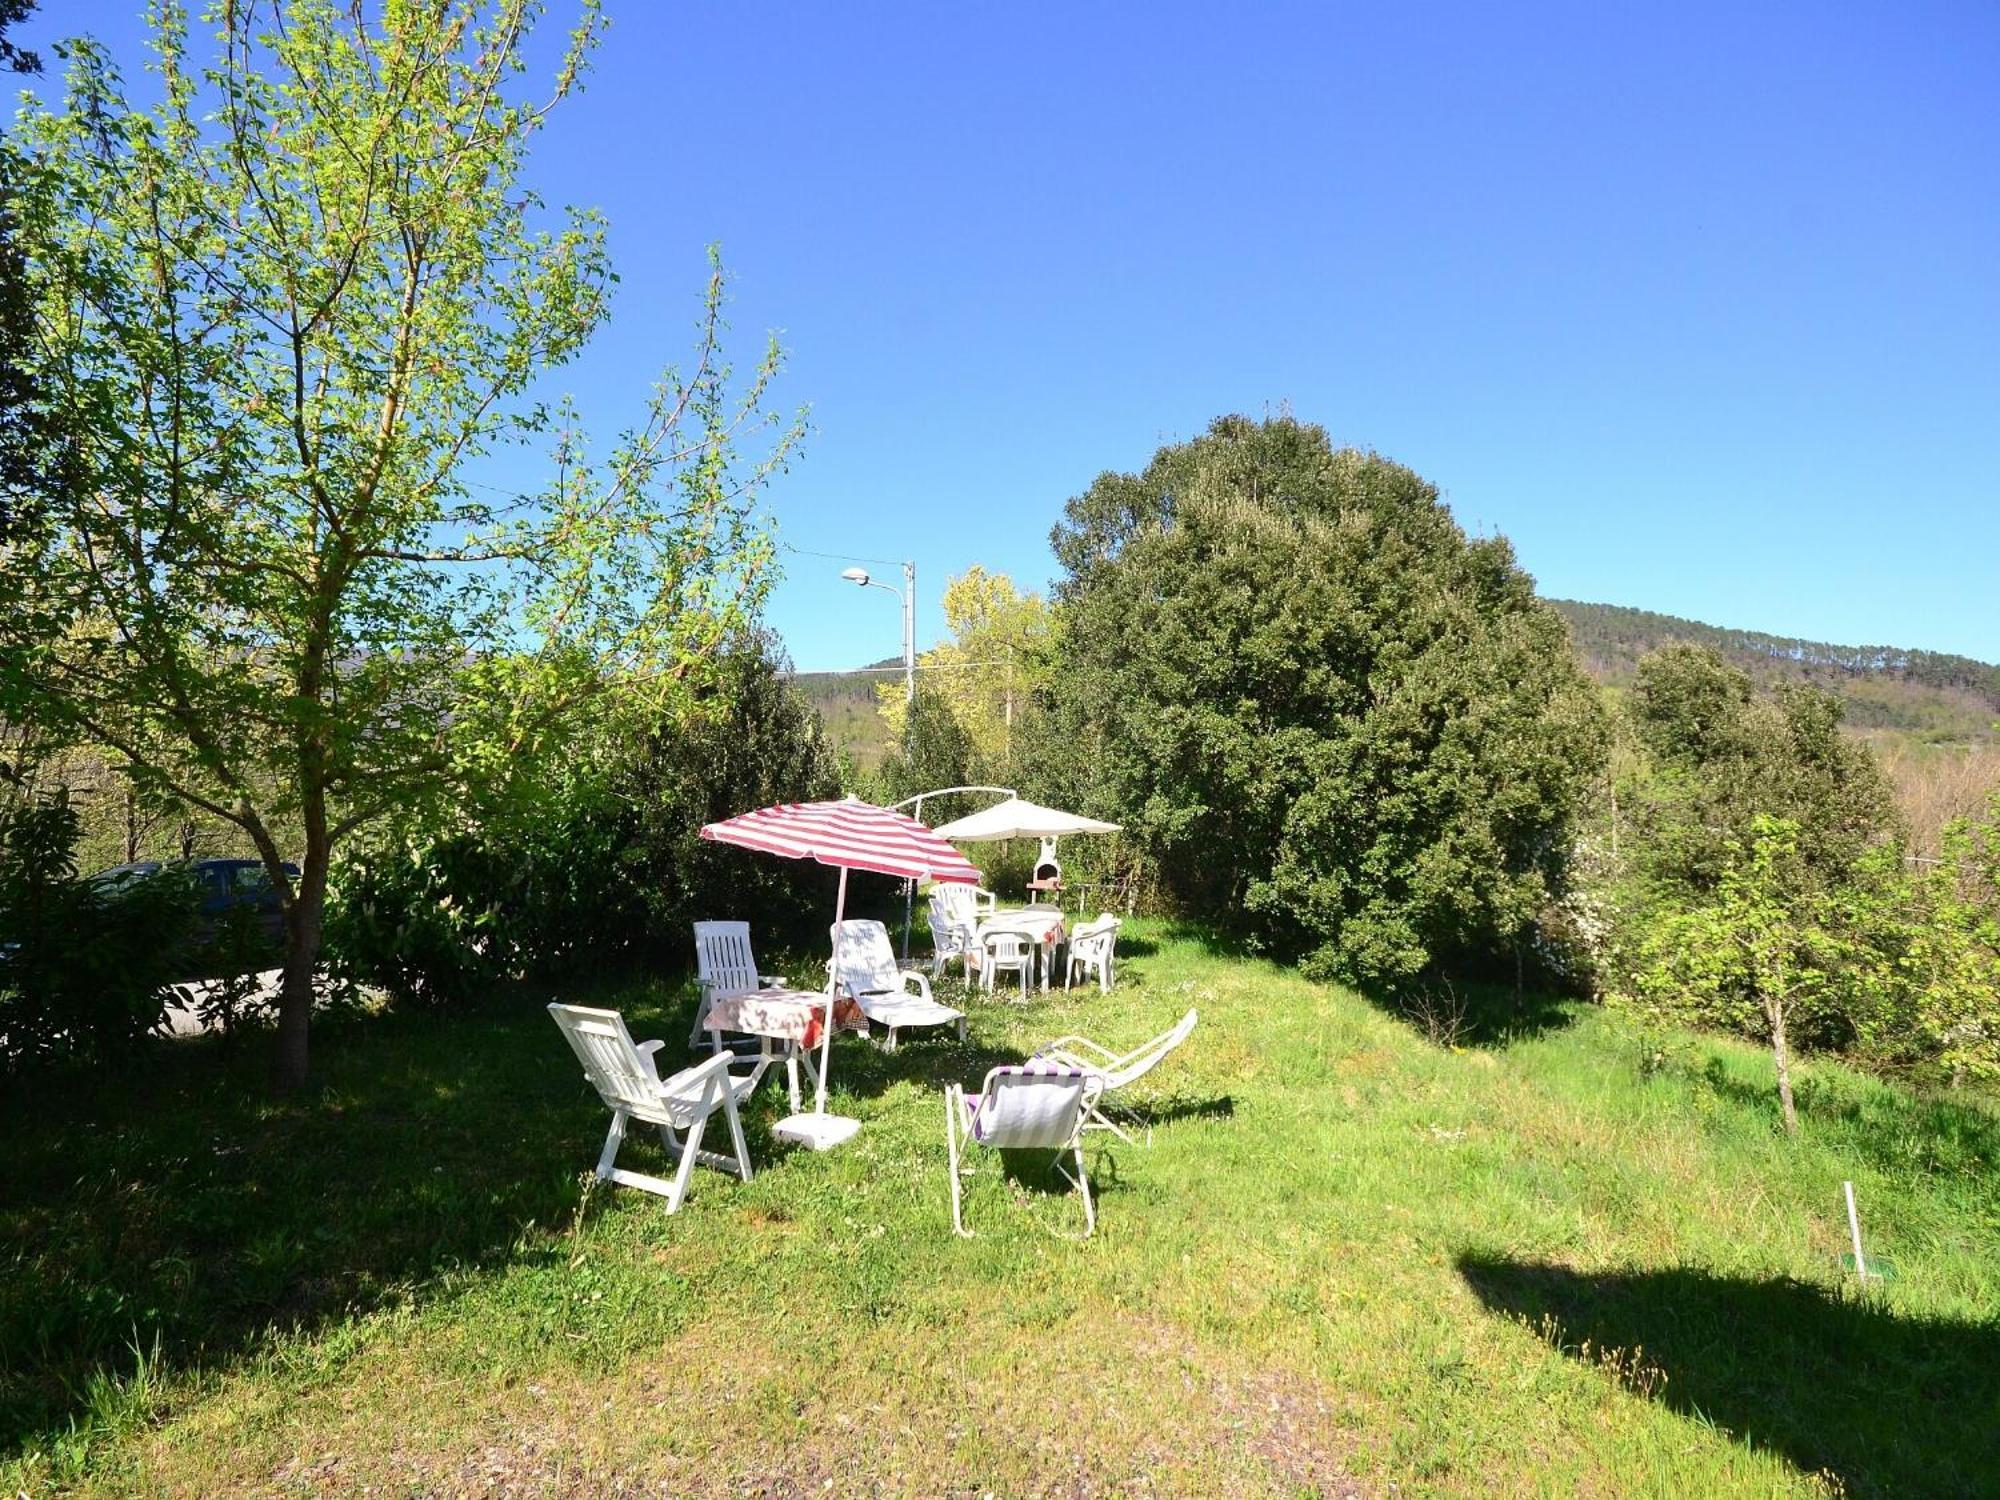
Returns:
point(1767, 949)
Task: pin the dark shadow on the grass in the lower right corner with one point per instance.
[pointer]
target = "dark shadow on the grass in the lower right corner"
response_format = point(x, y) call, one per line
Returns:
point(1885, 1403)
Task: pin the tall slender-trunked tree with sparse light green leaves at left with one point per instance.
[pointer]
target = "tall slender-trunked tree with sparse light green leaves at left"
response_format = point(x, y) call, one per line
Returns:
point(289, 305)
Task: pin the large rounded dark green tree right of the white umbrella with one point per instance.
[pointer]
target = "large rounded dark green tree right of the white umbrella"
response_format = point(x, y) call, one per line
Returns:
point(1331, 717)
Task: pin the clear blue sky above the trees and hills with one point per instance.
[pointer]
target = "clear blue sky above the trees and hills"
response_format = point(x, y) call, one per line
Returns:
point(1699, 305)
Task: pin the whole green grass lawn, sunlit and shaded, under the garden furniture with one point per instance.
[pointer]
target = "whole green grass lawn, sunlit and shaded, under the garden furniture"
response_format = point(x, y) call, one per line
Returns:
point(1351, 1263)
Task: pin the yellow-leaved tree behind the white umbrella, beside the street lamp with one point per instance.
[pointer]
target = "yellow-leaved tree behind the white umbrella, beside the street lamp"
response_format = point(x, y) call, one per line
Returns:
point(1001, 651)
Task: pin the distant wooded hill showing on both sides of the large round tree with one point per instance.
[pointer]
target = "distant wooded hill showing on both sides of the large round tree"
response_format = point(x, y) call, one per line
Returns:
point(1927, 695)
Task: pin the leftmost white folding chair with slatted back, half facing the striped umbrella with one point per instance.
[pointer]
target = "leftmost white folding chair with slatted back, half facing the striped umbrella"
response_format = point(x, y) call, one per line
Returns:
point(631, 1087)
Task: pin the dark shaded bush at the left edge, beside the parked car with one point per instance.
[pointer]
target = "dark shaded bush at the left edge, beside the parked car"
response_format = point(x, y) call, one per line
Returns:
point(85, 965)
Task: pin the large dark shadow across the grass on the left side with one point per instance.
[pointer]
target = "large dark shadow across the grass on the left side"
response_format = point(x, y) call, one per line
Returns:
point(177, 1203)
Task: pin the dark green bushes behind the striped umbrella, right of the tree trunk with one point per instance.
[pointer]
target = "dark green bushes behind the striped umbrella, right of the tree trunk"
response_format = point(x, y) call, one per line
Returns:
point(595, 863)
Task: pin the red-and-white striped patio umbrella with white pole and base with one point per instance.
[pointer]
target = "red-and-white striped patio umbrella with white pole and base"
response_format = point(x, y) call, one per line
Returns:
point(849, 835)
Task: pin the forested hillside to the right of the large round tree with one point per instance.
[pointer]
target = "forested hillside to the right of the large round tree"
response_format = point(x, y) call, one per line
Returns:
point(1933, 695)
